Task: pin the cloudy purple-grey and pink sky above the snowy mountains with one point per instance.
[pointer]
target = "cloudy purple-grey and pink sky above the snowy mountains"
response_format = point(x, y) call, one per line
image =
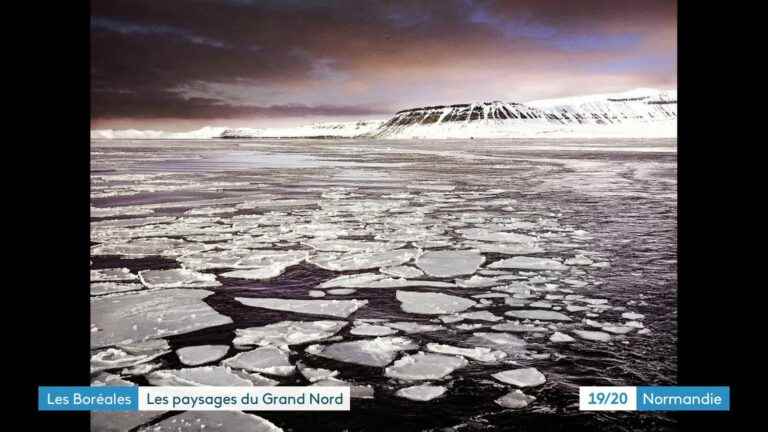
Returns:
point(183, 64)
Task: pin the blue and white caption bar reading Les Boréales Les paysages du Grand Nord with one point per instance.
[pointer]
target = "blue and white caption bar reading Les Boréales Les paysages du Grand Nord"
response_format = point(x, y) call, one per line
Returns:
point(109, 398)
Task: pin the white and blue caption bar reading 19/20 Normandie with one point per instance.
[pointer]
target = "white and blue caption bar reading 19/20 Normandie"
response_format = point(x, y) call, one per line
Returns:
point(657, 398)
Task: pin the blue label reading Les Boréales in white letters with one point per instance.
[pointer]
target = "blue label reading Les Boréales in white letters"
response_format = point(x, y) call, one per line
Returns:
point(88, 398)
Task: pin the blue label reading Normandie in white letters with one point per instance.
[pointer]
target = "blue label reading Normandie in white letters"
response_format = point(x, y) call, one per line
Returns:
point(675, 398)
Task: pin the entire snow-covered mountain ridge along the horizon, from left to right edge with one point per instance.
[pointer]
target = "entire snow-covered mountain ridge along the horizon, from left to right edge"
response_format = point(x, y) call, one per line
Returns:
point(639, 113)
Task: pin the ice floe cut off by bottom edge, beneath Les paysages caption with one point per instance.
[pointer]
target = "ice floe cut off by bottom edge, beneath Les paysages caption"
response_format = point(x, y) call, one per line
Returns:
point(224, 421)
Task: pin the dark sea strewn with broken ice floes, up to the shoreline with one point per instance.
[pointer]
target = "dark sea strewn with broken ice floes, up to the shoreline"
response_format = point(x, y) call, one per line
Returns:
point(445, 265)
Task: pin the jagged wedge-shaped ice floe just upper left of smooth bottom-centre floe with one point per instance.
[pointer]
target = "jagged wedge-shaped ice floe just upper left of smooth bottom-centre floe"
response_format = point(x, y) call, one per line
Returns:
point(377, 352)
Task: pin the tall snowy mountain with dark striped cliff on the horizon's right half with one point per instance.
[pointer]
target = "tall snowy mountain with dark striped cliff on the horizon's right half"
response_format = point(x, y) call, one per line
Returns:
point(639, 113)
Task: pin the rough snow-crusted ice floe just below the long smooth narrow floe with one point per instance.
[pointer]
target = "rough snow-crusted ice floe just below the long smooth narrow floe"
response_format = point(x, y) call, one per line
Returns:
point(287, 333)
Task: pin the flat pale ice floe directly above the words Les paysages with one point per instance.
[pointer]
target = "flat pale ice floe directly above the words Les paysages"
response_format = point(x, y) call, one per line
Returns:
point(199, 376)
